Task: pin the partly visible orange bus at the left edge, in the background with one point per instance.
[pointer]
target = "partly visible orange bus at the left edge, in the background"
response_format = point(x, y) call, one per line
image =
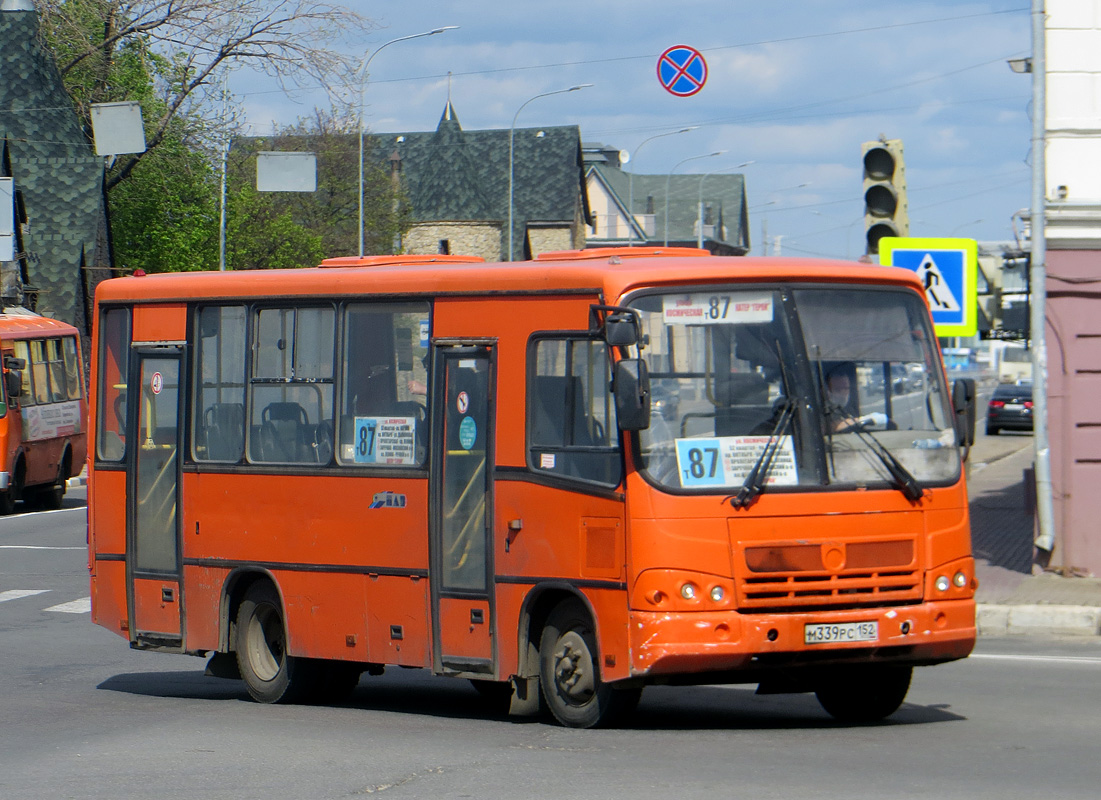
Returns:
point(43, 442)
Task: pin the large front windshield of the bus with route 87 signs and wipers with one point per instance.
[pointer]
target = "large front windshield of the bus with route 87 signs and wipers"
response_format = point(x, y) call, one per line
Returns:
point(841, 385)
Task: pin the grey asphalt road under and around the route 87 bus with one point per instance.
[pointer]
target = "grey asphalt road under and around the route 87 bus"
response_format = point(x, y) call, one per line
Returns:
point(84, 717)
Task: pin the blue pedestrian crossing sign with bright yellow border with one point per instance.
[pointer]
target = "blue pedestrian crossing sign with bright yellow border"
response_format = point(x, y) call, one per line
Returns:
point(949, 269)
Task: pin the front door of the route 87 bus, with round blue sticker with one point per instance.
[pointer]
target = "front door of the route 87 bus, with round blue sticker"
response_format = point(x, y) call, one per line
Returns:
point(462, 502)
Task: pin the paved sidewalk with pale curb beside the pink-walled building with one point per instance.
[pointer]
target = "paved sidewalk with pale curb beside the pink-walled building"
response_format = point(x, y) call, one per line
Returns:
point(1012, 599)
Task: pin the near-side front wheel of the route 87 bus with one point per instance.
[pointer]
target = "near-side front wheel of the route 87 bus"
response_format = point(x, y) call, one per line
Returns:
point(569, 675)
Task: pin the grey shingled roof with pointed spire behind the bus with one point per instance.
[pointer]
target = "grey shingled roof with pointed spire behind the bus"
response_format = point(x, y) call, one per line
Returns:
point(457, 176)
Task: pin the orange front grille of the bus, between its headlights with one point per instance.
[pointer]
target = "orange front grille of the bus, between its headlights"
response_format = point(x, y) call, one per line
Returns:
point(830, 575)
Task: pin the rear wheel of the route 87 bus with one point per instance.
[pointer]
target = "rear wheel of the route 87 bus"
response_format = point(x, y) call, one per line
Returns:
point(270, 675)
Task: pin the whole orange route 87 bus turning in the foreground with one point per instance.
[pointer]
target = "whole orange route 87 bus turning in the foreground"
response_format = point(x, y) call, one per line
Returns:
point(563, 479)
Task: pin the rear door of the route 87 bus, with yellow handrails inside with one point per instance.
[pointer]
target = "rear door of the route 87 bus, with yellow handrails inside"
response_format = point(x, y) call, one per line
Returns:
point(152, 501)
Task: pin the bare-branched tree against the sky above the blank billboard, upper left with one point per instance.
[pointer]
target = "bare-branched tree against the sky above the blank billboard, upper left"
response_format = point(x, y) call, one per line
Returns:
point(181, 45)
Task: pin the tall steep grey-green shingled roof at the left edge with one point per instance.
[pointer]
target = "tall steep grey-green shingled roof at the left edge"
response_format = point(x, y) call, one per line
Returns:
point(57, 170)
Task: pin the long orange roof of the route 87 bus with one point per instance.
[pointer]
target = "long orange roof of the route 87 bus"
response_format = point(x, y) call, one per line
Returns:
point(613, 272)
